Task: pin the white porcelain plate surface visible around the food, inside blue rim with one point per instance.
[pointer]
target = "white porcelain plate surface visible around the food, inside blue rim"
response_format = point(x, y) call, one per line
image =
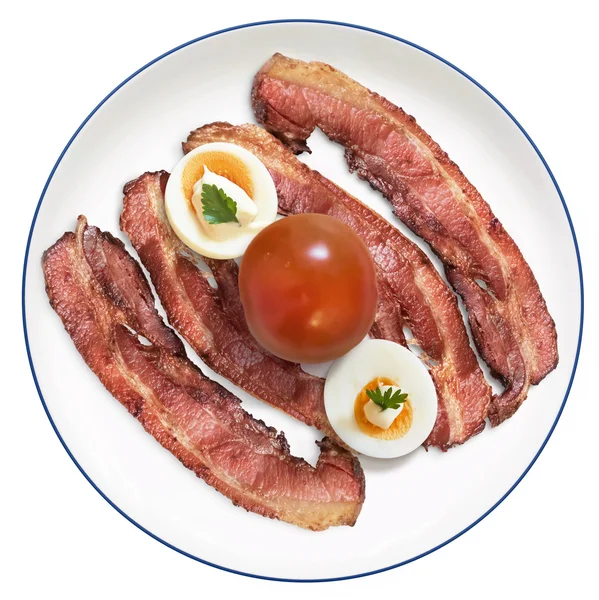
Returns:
point(139, 127)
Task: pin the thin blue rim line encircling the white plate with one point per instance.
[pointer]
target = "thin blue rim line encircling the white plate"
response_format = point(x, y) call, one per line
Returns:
point(388, 35)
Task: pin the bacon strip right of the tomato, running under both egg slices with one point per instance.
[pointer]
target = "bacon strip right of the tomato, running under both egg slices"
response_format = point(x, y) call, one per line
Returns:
point(411, 292)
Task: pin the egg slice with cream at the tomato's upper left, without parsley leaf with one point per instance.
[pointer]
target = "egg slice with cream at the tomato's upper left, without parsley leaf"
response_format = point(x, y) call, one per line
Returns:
point(242, 176)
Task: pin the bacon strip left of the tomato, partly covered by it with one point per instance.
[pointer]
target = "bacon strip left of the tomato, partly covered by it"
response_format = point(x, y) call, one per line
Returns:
point(212, 320)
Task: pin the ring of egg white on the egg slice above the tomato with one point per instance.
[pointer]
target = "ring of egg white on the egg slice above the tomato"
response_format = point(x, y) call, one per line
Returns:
point(184, 220)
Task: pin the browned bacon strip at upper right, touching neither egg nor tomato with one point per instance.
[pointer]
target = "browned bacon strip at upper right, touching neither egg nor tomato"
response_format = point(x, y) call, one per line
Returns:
point(510, 323)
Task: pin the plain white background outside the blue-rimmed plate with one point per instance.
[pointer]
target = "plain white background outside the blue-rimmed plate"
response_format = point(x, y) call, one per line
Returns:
point(58, 536)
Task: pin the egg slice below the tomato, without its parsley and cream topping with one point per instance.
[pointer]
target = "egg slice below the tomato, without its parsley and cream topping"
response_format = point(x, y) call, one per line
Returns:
point(385, 362)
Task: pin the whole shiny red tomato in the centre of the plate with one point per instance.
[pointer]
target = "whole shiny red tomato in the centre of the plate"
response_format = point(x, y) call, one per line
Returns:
point(308, 288)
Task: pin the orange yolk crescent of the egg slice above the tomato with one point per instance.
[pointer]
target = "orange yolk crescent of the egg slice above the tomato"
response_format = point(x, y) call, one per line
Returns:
point(220, 163)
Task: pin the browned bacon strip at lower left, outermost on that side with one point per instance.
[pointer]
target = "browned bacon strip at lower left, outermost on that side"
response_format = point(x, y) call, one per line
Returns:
point(101, 295)
